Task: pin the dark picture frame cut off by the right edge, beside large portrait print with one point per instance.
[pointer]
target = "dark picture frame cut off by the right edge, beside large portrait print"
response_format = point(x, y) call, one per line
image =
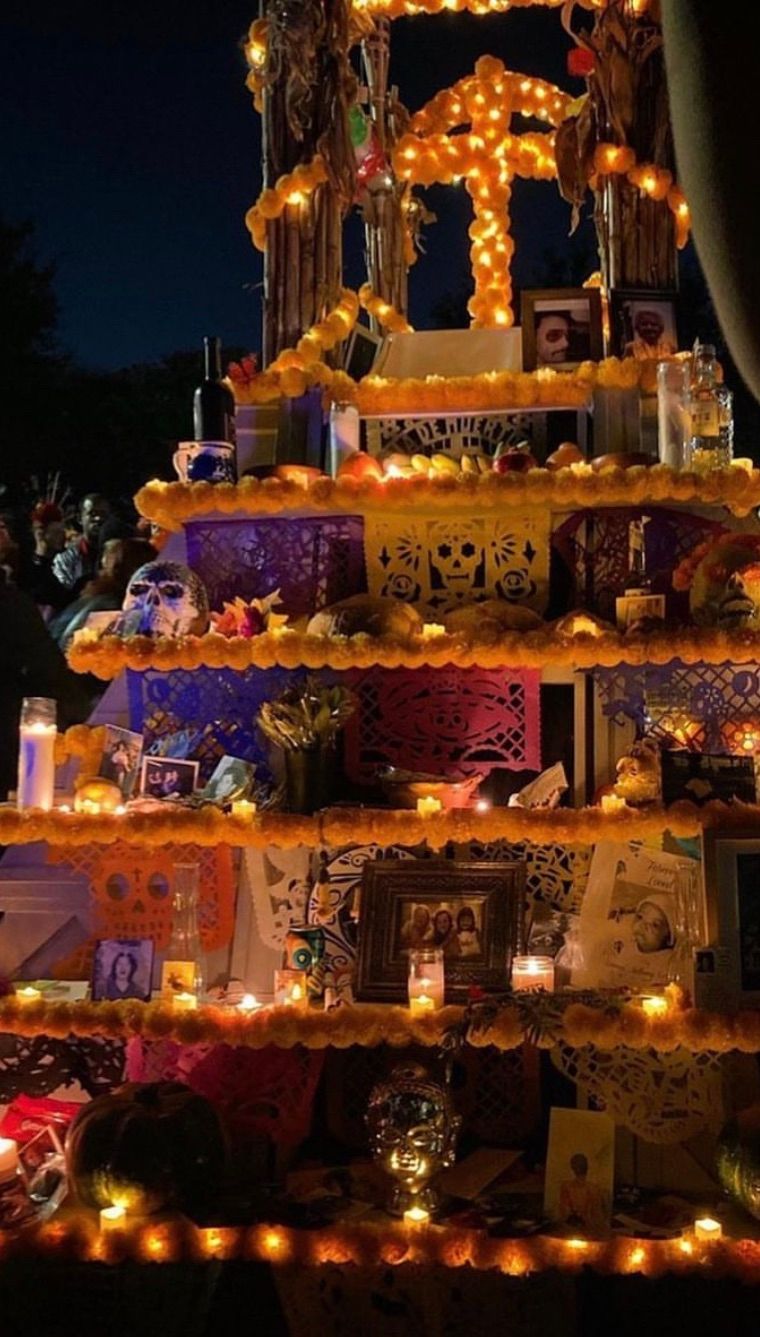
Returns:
point(733, 894)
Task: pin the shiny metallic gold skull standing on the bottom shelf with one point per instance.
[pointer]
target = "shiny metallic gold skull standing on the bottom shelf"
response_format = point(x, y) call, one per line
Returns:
point(413, 1134)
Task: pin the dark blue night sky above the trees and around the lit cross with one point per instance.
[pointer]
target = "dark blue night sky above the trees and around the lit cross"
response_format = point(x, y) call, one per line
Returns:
point(133, 145)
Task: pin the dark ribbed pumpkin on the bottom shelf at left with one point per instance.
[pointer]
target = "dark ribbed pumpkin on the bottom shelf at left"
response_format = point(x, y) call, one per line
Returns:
point(148, 1146)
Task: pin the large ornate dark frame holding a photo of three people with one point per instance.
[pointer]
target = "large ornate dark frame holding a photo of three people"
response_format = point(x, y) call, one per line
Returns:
point(473, 911)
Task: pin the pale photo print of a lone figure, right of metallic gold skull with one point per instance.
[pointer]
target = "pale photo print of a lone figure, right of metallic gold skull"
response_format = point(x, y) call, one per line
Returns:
point(580, 1172)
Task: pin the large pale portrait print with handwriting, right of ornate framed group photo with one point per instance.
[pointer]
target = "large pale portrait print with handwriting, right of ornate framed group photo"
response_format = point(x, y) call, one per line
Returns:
point(642, 918)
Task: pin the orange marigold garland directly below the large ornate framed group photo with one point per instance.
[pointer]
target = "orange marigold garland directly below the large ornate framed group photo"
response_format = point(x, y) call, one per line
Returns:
point(371, 1025)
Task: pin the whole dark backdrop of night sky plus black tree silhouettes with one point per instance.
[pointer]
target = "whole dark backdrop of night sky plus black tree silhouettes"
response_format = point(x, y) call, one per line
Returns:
point(132, 146)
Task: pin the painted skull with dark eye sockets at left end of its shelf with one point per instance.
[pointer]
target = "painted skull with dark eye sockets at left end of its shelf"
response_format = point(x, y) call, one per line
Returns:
point(165, 600)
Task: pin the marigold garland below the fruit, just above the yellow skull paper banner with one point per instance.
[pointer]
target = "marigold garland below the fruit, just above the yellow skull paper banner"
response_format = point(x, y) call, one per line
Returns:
point(172, 505)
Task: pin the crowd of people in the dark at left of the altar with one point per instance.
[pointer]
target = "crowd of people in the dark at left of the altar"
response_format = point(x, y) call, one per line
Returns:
point(56, 572)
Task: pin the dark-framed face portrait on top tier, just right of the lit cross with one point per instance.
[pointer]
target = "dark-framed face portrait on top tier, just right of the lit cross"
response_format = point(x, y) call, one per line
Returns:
point(563, 328)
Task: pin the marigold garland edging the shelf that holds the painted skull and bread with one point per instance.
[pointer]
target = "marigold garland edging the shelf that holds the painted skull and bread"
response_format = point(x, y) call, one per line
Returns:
point(106, 657)
